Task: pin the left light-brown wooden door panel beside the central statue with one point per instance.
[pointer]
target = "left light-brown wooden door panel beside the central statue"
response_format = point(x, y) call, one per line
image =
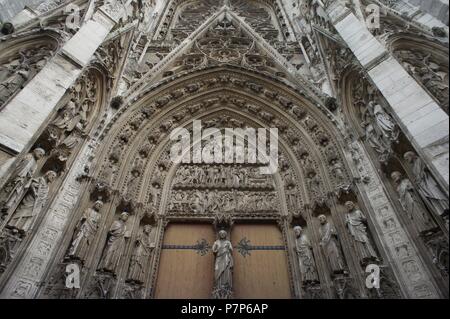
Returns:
point(184, 273)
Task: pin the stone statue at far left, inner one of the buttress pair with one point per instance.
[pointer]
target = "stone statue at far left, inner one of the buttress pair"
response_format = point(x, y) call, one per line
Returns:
point(32, 203)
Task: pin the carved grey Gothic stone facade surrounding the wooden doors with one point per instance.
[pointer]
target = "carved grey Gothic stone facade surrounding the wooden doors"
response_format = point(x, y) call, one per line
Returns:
point(90, 92)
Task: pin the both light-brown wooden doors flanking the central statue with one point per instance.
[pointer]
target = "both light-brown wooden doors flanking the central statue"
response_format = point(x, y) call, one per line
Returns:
point(186, 269)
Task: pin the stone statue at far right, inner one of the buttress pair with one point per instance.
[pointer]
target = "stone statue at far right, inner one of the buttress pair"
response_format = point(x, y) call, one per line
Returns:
point(411, 204)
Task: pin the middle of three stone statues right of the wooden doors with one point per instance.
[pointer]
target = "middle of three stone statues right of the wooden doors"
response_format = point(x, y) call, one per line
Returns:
point(330, 245)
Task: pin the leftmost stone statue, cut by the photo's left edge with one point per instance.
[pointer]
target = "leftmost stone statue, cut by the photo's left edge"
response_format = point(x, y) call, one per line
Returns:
point(21, 180)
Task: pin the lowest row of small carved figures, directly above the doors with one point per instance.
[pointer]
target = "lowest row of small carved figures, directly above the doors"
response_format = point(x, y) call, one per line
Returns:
point(199, 202)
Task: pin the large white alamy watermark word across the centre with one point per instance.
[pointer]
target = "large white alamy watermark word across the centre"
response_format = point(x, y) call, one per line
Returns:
point(226, 146)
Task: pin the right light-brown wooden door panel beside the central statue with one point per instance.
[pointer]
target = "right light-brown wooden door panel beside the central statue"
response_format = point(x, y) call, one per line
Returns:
point(264, 272)
